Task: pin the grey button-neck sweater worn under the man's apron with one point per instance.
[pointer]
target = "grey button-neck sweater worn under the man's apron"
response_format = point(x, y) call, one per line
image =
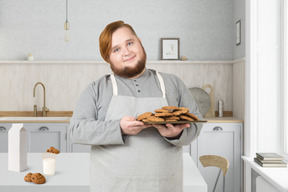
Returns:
point(88, 125)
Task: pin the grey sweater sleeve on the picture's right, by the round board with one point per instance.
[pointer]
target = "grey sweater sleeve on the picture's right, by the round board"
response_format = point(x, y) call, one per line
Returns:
point(181, 96)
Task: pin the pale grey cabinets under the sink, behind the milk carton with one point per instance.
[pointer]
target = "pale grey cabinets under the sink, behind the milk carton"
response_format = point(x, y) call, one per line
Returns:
point(40, 136)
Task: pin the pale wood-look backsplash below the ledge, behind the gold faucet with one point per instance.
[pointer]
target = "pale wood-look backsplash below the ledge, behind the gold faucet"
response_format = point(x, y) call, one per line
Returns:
point(64, 81)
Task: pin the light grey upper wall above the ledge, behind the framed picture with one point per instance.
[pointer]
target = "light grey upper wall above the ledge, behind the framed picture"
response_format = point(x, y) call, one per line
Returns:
point(205, 27)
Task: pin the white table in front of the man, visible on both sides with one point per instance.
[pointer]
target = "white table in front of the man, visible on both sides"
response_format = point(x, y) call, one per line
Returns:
point(72, 174)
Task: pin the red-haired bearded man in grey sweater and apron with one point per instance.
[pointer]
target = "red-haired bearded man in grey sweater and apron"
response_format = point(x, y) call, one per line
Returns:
point(127, 155)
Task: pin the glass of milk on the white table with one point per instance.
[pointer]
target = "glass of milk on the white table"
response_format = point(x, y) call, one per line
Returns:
point(49, 163)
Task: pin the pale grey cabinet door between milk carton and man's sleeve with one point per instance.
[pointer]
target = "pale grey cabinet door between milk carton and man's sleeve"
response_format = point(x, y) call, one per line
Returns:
point(41, 136)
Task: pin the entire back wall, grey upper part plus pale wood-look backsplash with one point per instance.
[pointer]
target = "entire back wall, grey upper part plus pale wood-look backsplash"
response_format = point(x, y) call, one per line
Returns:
point(206, 30)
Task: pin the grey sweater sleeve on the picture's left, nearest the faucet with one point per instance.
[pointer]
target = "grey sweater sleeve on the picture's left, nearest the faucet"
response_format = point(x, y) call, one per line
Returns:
point(87, 128)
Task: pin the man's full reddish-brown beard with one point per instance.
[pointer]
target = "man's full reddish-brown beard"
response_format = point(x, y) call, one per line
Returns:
point(130, 72)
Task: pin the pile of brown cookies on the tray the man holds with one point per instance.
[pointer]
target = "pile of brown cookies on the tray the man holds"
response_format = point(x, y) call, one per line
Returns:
point(168, 113)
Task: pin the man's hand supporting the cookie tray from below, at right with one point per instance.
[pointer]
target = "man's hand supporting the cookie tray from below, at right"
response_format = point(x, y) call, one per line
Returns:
point(171, 131)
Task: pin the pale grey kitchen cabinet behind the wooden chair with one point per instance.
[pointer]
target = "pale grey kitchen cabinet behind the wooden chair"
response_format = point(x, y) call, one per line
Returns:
point(223, 139)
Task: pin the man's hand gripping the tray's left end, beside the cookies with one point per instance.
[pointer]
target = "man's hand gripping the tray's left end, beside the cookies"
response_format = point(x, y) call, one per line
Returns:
point(129, 126)
